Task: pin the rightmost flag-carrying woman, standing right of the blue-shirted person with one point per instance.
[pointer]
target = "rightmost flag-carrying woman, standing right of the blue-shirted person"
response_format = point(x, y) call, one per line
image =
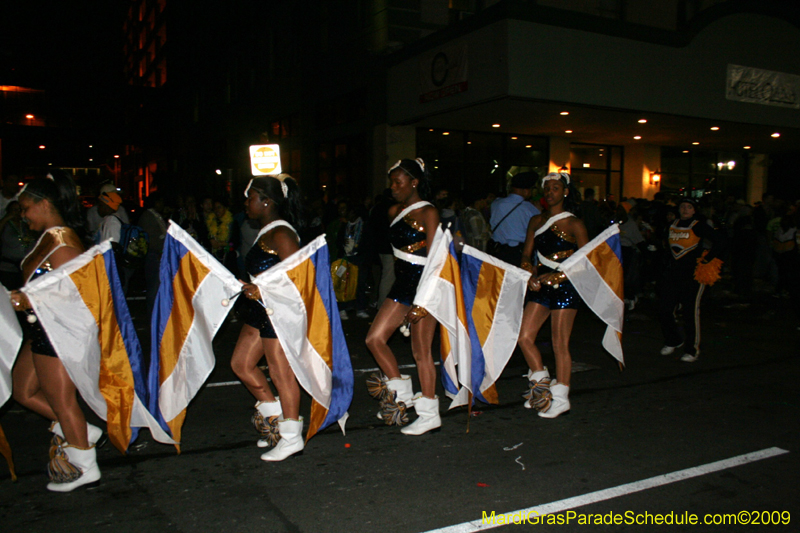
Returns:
point(553, 236)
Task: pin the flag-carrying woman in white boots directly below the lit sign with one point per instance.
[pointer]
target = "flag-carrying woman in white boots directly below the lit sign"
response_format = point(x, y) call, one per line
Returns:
point(273, 202)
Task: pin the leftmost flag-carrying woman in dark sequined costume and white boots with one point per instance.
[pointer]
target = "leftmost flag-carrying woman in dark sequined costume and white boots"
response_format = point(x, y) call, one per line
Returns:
point(40, 381)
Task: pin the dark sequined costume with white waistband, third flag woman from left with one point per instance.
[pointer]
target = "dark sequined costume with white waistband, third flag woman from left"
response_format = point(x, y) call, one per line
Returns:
point(407, 237)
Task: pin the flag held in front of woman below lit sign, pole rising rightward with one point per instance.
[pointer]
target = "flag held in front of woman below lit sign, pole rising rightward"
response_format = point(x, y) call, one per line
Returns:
point(299, 299)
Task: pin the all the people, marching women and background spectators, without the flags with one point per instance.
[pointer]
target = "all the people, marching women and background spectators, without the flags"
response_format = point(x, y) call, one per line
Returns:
point(378, 250)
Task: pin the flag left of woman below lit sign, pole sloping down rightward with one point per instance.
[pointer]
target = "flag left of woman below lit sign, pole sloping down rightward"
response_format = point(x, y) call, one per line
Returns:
point(187, 313)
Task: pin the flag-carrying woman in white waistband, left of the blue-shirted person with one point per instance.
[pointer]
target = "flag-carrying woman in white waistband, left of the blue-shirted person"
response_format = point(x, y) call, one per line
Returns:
point(413, 226)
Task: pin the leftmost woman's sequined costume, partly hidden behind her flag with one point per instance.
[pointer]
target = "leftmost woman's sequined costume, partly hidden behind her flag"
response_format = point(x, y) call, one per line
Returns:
point(37, 264)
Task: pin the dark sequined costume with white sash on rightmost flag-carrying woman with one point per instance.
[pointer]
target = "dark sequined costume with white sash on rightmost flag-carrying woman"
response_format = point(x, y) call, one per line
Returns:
point(553, 246)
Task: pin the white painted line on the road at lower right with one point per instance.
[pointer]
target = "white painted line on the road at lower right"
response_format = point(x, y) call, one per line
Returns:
point(614, 492)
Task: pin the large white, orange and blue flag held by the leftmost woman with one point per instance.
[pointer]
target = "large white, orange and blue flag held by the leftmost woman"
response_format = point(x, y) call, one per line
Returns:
point(82, 308)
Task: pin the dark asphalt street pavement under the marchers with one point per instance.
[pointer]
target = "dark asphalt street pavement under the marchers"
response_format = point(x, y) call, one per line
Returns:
point(660, 437)
